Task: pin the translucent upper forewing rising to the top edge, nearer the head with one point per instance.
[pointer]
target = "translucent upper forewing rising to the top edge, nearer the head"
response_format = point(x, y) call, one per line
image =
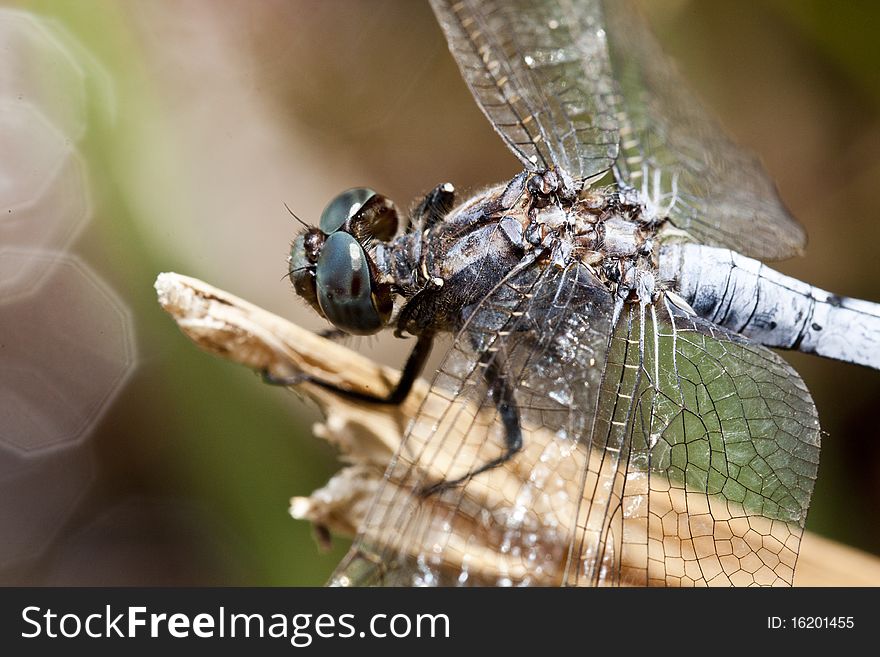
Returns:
point(540, 72)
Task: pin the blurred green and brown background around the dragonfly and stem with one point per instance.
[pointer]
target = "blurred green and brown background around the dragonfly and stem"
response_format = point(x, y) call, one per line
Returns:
point(154, 135)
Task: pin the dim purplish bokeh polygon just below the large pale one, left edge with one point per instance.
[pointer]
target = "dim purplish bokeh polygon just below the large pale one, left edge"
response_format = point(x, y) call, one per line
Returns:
point(37, 498)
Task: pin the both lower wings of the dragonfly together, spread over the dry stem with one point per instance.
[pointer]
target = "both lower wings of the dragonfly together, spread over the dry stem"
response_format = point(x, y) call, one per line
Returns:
point(696, 467)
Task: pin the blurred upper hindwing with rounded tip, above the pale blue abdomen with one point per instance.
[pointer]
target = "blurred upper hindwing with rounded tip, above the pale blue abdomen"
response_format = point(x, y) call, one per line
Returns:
point(678, 155)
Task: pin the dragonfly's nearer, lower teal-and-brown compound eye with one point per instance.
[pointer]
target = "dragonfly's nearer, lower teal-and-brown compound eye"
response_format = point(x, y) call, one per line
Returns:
point(344, 286)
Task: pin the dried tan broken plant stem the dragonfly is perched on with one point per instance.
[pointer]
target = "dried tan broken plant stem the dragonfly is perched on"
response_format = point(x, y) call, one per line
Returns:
point(367, 435)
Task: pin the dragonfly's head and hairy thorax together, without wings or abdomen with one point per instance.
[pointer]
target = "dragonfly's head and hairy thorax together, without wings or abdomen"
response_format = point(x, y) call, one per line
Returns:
point(442, 261)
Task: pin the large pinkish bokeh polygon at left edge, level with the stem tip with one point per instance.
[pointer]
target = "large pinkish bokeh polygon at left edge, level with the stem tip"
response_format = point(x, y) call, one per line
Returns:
point(67, 348)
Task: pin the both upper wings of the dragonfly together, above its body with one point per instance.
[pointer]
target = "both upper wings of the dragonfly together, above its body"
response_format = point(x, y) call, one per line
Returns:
point(583, 84)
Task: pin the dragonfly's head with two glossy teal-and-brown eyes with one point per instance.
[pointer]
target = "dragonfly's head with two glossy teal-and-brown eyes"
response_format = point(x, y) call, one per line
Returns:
point(331, 267)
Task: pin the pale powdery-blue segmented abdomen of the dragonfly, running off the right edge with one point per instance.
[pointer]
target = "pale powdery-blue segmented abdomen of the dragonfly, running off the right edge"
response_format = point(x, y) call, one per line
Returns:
point(746, 296)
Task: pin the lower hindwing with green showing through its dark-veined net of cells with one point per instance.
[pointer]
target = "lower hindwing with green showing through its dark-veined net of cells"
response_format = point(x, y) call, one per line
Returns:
point(704, 455)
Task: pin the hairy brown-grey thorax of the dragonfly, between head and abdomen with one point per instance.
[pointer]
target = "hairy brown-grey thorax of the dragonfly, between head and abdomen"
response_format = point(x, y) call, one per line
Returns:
point(537, 220)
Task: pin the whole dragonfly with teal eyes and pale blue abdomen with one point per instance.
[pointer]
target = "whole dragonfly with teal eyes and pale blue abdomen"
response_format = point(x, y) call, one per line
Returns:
point(608, 410)
